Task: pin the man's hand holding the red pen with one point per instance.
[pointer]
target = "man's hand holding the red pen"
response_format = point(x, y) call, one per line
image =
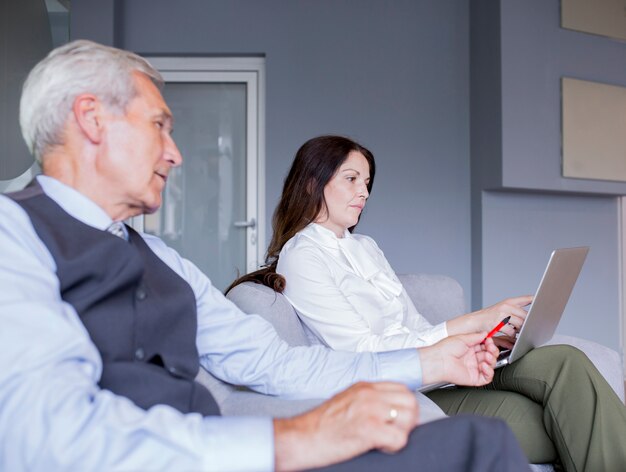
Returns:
point(460, 359)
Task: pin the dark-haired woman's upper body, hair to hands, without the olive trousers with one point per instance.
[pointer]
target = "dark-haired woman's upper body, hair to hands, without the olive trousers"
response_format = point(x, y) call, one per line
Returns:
point(322, 200)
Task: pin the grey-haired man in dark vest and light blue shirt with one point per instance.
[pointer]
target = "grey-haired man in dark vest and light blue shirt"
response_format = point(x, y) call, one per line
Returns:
point(104, 329)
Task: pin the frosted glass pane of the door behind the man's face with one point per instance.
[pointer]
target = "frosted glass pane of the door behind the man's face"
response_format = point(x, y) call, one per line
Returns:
point(204, 214)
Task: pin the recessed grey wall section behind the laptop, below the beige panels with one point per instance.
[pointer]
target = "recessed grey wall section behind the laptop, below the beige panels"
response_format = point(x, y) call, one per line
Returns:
point(520, 231)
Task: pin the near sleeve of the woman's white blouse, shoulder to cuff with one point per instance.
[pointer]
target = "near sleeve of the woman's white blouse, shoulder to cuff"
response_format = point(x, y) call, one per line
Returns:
point(327, 310)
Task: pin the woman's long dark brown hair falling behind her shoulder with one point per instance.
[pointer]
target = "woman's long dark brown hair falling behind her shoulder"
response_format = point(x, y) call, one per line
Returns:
point(316, 162)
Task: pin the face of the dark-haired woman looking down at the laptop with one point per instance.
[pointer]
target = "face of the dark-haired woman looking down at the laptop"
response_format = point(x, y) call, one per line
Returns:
point(345, 195)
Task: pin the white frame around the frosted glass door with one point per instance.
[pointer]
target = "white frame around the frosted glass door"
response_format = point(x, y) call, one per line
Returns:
point(251, 71)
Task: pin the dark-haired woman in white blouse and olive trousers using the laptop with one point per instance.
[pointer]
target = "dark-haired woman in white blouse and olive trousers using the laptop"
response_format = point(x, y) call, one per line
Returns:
point(349, 297)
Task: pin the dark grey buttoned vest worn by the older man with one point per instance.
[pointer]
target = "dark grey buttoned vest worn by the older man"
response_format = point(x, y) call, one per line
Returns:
point(140, 314)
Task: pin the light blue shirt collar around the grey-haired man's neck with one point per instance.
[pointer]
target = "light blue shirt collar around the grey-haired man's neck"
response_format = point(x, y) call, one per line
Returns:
point(75, 203)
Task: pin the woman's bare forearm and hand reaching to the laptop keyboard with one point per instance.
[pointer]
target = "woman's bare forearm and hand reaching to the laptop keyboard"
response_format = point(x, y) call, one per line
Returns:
point(487, 318)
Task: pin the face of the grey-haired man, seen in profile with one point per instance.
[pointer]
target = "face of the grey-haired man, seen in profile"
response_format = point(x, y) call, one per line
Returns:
point(139, 151)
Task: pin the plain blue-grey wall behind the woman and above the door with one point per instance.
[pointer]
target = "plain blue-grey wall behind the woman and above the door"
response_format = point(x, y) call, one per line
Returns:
point(392, 75)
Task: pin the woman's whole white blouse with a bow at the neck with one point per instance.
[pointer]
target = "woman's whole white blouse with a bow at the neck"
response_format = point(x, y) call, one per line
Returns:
point(348, 295)
